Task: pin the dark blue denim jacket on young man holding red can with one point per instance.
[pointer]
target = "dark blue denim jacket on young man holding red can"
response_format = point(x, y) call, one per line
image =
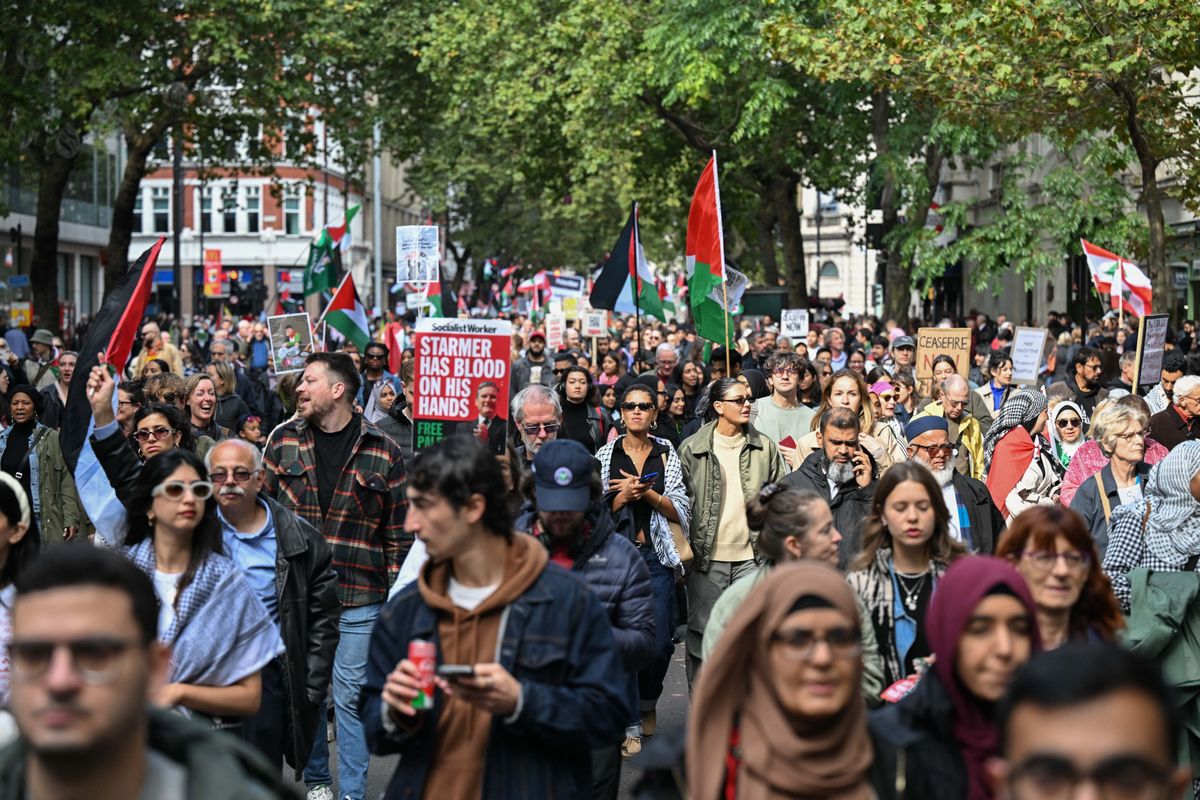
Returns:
point(556, 641)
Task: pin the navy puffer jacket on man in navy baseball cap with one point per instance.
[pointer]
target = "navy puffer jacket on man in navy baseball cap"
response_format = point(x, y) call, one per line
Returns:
point(617, 574)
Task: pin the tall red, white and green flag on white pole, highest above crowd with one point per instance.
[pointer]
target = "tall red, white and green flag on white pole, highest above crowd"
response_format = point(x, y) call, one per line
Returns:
point(706, 260)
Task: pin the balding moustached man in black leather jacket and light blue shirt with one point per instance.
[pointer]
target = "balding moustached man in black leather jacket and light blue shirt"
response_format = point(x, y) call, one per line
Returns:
point(290, 566)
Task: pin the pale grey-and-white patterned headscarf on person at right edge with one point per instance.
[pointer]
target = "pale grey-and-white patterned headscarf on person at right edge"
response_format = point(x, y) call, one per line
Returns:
point(1173, 531)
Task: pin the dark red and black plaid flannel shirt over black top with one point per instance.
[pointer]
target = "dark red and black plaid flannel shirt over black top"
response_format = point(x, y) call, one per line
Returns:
point(365, 525)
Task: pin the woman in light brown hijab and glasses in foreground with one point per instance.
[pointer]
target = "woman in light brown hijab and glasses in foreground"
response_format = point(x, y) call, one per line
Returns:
point(777, 712)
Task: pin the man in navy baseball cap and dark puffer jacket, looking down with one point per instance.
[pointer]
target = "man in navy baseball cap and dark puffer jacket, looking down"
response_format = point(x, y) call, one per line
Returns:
point(574, 524)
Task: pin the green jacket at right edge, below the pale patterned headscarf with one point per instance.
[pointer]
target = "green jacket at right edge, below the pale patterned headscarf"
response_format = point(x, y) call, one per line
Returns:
point(1165, 627)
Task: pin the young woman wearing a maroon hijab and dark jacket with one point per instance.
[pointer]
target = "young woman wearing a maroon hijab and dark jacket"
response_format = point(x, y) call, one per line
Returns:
point(934, 744)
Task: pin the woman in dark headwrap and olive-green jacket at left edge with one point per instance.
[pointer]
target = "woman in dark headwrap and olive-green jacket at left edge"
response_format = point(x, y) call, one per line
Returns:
point(31, 453)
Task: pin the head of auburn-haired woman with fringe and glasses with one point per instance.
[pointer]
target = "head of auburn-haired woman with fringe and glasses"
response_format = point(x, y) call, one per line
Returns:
point(1054, 552)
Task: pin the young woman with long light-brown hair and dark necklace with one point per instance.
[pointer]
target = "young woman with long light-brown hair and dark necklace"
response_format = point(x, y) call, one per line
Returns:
point(907, 549)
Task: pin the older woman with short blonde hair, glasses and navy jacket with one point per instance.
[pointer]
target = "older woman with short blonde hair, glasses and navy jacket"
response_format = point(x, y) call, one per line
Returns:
point(1121, 434)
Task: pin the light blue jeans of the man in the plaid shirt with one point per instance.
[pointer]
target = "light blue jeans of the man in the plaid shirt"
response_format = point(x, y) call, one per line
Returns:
point(350, 675)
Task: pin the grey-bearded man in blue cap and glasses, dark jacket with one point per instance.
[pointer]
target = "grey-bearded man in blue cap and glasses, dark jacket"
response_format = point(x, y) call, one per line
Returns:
point(974, 518)
